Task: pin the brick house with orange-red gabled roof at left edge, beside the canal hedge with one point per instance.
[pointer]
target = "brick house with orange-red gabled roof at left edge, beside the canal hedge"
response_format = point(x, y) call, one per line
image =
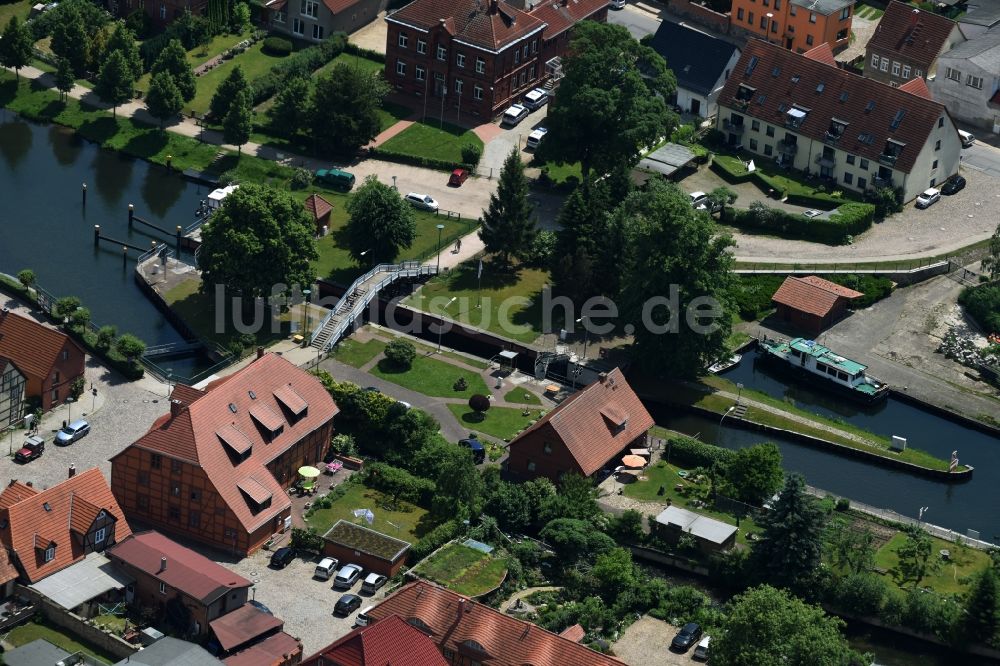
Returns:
point(48, 359)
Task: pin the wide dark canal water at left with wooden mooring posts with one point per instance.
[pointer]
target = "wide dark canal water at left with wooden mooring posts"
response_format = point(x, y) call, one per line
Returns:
point(44, 225)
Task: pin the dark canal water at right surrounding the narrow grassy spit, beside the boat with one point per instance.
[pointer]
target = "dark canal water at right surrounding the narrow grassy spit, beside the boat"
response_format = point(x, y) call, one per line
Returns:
point(961, 506)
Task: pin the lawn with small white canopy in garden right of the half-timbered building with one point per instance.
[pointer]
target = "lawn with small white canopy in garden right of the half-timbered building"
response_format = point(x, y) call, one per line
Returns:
point(405, 521)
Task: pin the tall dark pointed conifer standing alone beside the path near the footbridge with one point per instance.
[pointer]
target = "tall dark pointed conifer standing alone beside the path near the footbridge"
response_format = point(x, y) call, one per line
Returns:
point(508, 227)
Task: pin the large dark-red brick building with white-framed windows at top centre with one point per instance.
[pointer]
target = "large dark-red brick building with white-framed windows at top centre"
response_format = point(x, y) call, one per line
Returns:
point(478, 56)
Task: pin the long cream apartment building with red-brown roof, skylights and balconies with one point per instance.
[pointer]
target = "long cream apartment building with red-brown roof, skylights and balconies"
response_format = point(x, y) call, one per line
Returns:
point(851, 131)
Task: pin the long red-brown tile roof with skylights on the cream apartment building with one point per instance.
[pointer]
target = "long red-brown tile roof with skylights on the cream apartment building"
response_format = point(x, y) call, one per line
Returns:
point(868, 107)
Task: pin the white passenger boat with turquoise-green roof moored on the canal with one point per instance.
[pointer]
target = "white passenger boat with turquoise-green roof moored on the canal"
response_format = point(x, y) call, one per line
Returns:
point(812, 361)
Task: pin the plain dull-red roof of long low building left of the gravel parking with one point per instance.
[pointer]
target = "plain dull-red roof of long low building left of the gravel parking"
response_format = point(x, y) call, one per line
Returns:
point(187, 571)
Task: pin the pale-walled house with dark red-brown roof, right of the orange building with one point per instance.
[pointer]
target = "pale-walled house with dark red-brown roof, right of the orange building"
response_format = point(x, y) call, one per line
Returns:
point(907, 43)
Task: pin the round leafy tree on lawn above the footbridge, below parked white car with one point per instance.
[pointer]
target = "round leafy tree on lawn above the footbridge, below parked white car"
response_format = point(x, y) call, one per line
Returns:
point(381, 223)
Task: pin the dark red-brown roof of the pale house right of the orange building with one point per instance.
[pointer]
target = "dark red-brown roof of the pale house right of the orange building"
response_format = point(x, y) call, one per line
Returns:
point(914, 34)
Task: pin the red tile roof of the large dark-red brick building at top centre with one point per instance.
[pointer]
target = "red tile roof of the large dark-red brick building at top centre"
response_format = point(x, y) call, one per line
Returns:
point(491, 25)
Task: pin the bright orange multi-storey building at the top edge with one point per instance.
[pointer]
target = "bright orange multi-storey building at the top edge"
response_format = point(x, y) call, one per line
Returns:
point(797, 25)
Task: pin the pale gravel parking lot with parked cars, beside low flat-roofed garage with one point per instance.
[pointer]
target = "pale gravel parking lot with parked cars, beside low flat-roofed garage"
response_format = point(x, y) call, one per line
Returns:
point(303, 602)
